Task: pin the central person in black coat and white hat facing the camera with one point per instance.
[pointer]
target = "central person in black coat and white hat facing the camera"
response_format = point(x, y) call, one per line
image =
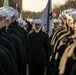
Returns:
point(38, 49)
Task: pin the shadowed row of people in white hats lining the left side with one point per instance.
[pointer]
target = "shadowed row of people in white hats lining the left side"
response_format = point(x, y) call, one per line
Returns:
point(13, 46)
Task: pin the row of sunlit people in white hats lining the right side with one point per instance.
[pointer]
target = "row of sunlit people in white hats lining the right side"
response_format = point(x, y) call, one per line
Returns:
point(63, 45)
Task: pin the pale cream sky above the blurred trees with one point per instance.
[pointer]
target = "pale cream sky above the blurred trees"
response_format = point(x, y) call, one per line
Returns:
point(38, 5)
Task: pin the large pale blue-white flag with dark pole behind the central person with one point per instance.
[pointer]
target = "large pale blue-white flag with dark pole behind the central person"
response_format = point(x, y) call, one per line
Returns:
point(47, 18)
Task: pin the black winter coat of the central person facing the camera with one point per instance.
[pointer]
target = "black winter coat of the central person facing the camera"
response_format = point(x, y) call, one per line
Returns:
point(38, 47)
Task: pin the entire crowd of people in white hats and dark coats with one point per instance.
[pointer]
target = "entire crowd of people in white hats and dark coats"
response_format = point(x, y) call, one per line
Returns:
point(23, 42)
